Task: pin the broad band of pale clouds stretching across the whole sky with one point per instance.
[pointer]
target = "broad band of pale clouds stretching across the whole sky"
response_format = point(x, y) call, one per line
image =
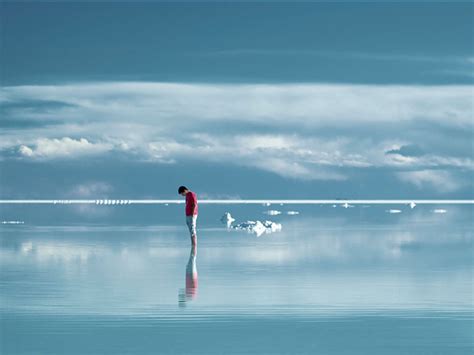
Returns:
point(298, 131)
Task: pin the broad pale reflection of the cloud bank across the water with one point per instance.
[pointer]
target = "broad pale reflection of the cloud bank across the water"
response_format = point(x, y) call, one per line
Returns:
point(338, 267)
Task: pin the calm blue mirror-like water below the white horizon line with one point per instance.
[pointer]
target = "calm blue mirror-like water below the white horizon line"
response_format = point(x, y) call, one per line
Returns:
point(124, 280)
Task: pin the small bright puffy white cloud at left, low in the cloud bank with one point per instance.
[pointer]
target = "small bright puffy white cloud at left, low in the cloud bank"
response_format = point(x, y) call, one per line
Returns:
point(64, 147)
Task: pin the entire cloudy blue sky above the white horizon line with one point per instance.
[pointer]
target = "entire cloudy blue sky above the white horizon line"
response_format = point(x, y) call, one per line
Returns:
point(236, 100)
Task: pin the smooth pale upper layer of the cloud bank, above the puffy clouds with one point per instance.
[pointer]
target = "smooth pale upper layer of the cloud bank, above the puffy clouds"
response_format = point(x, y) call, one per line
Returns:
point(307, 104)
